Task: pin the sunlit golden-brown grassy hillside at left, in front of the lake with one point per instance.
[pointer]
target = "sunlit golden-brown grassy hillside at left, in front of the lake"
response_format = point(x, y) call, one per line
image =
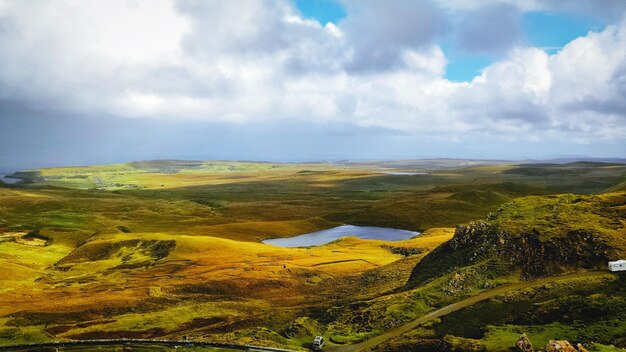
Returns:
point(140, 285)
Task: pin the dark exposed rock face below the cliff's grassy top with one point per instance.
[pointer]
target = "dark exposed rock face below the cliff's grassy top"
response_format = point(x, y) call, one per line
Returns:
point(530, 252)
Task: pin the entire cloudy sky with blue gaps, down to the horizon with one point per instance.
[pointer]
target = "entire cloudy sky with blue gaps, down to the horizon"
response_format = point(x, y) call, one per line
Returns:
point(86, 82)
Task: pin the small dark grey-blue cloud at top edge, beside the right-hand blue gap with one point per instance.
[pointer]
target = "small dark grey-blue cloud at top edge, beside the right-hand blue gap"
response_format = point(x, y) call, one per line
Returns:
point(492, 29)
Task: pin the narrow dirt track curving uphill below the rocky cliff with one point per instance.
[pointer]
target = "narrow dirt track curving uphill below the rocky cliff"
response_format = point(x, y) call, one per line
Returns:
point(402, 329)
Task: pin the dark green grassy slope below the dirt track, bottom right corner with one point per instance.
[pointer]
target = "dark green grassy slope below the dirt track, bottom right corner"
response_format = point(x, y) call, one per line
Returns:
point(589, 311)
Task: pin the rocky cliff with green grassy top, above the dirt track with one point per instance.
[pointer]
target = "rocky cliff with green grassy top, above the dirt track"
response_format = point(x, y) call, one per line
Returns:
point(534, 237)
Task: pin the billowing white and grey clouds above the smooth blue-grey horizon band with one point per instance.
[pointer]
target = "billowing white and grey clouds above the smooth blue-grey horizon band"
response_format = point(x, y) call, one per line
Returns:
point(250, 61)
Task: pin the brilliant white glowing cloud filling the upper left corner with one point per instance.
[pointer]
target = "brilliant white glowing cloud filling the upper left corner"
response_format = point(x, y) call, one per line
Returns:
point(82, 55)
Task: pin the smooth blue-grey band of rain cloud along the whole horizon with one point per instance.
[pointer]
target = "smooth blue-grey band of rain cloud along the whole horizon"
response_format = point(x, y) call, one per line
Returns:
point(33, 139)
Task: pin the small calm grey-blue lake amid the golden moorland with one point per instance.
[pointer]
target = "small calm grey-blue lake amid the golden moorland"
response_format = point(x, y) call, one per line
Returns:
point(329, 235)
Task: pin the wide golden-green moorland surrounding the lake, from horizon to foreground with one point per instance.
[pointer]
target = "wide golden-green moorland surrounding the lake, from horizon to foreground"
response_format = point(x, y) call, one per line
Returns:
point(172, 249)
